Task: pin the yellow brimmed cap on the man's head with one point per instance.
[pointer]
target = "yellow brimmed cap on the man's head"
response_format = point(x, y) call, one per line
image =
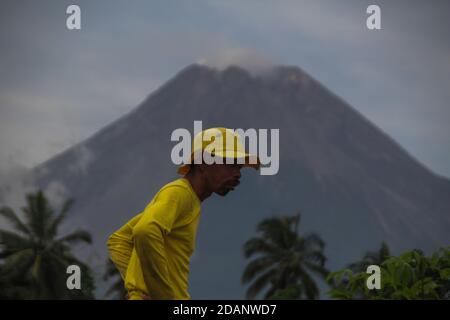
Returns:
point(220, 143)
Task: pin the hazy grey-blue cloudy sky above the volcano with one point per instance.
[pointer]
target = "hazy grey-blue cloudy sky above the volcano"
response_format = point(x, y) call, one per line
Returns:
point(58, 87)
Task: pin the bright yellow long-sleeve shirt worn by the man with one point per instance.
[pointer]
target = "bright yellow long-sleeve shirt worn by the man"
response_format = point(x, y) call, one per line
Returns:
point(152, 251)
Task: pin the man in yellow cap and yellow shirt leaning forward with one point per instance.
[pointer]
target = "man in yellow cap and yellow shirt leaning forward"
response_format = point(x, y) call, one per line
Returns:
point(152, 251)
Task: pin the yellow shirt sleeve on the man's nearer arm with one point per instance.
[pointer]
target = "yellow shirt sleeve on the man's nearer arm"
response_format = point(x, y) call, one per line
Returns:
point(149, 234)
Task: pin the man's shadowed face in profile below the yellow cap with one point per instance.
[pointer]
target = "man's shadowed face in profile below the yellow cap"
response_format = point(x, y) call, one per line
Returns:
point(222, 178)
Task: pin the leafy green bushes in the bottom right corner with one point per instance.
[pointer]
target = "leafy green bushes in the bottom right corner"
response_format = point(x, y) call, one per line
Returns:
point(408, 276)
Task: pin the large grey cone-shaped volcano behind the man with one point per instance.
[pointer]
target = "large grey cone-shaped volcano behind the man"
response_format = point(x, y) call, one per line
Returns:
point(352, 183)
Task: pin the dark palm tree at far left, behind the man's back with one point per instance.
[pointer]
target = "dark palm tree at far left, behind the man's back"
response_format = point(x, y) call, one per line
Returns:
point(34, 259)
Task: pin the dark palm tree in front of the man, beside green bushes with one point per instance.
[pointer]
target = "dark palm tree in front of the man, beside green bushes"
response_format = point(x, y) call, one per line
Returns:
point(285, 260)
